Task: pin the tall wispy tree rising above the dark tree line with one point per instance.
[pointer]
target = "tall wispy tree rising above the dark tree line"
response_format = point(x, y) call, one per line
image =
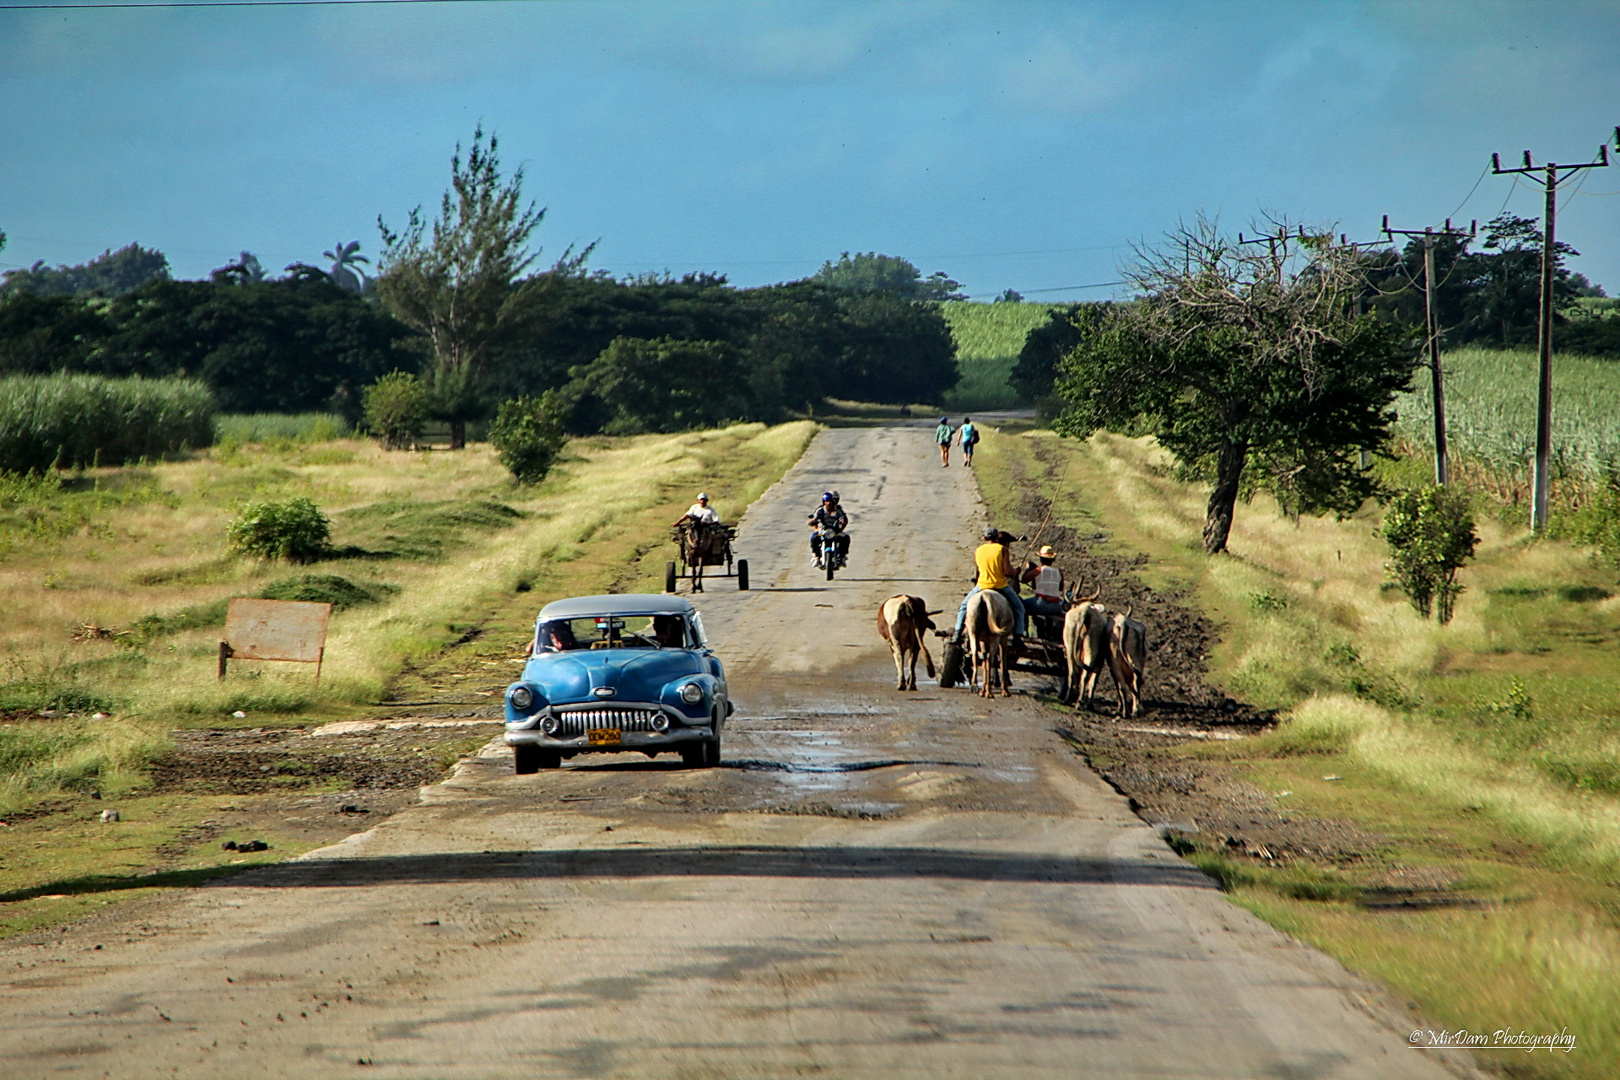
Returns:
point(459, 283)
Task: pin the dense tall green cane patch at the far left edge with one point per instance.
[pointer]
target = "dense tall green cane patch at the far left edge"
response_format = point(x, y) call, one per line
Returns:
point(75, 422)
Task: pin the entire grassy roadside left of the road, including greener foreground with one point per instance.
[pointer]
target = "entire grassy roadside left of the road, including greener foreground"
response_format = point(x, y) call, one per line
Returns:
point(454, 558)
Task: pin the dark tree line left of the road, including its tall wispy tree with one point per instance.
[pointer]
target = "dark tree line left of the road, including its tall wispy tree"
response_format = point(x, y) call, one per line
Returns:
point(463, 304)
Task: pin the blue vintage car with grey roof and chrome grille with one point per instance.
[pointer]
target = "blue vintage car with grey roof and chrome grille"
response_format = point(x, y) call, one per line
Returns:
point(613, 674)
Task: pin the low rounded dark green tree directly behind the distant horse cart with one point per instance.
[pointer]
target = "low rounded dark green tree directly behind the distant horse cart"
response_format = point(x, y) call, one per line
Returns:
point(639, 386)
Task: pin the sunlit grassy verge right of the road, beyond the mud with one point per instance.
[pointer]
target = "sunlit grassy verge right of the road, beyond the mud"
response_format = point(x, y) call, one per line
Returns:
point(1481, 754)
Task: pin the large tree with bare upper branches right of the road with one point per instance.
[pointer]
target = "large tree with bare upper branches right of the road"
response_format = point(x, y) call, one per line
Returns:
point(1243, 357)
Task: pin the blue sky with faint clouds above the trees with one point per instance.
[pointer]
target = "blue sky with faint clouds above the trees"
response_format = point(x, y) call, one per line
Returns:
point(1008, 145)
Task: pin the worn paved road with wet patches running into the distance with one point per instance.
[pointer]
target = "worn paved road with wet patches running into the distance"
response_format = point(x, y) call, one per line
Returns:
point(877, 885)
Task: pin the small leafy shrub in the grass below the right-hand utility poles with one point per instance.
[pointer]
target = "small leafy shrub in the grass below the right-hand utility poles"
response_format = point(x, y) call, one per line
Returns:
point(1431, 535)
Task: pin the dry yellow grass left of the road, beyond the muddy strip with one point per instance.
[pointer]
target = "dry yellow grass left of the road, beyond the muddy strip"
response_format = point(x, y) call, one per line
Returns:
point(589, 527)
